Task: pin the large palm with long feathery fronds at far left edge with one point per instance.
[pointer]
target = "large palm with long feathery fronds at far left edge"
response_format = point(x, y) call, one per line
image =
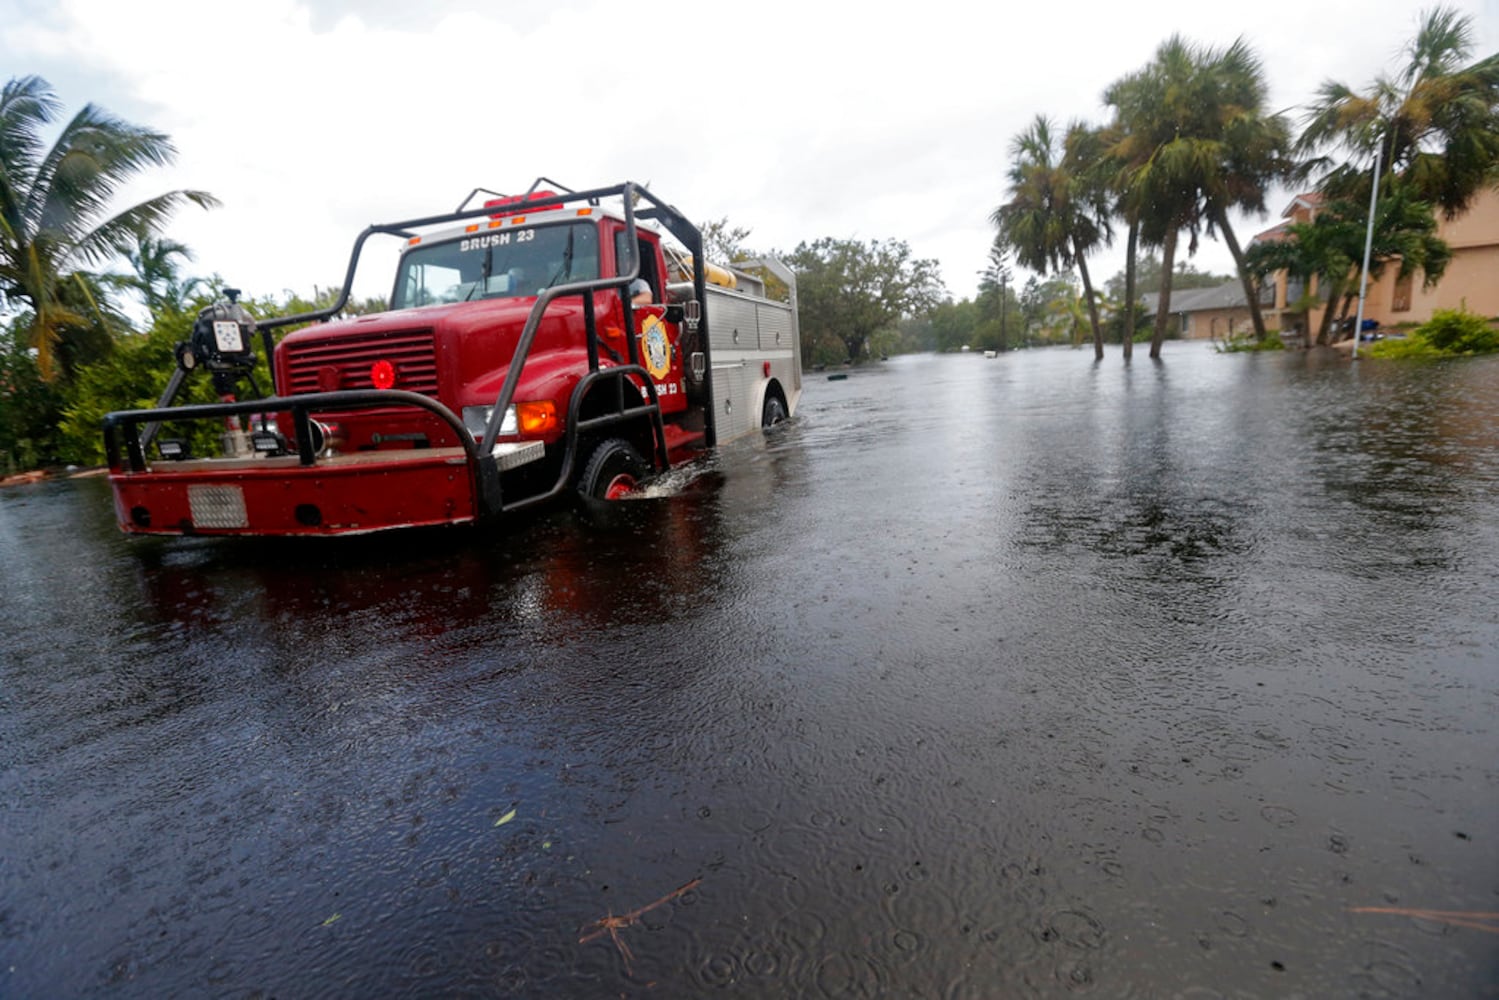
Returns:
point(55, 203)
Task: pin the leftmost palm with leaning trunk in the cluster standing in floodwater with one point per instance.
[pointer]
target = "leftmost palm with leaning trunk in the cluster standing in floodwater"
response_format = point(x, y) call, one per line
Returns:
point(1059, 208)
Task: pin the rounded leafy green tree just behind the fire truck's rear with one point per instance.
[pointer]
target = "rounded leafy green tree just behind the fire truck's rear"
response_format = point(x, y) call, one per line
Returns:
point(849, 292)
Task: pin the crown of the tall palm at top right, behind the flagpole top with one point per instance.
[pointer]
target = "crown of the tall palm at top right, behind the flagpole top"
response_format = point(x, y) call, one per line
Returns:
point(1437, 122)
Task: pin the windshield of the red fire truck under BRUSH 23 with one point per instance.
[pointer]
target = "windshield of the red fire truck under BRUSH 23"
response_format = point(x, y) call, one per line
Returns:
point(503, 263)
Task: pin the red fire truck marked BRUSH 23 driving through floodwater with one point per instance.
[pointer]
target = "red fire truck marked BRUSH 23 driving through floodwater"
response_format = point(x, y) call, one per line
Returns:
point(537, 347)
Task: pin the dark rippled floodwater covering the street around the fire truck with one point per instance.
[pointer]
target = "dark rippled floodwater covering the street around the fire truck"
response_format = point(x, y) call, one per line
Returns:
point(986, 678)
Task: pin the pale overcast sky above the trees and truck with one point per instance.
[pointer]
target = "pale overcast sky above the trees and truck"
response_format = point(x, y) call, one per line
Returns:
point(313, 119)
